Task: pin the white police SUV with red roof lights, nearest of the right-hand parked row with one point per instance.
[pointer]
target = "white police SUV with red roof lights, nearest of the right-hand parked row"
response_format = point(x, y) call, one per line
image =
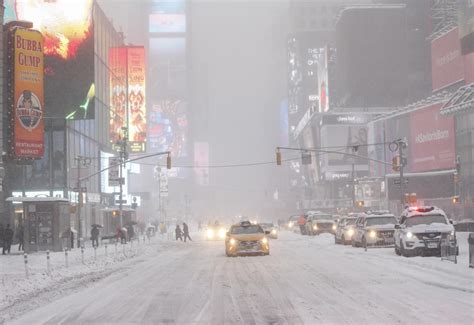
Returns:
point(421, 230)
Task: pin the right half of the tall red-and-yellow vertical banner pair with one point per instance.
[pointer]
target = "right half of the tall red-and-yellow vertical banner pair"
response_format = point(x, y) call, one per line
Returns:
point(136, 98)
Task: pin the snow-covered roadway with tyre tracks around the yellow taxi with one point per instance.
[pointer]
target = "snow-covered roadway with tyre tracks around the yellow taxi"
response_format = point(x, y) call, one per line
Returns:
point(304, 280)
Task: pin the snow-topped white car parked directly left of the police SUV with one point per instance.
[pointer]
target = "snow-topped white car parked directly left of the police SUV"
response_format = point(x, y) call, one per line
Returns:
point(374, 230)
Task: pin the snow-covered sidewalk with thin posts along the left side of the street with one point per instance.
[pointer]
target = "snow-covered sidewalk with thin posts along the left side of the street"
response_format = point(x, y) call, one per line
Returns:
point(16, 287)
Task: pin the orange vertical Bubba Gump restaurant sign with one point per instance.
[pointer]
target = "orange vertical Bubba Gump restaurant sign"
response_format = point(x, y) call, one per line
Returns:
point(28, 98)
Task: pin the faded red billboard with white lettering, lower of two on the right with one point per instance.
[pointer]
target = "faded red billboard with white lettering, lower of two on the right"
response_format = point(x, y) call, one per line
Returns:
point(432, 140)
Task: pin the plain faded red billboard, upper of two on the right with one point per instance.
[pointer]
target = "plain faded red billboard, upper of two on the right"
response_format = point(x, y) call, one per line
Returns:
point(447, 65)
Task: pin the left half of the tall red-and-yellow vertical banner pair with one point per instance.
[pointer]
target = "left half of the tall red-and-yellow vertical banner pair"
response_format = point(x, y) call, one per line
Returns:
point(118, 92)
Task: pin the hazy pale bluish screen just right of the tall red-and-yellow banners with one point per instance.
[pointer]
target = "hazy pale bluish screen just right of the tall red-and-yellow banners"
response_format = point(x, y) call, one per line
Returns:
point(167, 127)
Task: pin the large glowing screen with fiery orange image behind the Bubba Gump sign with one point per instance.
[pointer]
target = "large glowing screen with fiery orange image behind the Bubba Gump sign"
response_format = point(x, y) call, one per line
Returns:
point(67, 28)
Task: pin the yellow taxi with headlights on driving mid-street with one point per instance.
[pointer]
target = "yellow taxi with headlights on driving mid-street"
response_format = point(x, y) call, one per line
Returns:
point(246, 238)
